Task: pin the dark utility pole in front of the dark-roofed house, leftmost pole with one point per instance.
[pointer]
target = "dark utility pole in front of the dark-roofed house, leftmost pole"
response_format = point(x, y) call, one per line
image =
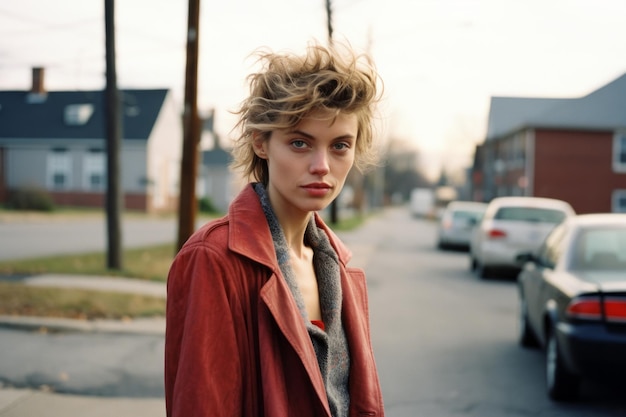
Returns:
point(113, 131)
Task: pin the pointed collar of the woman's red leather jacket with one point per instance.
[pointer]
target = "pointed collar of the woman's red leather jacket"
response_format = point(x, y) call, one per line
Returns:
point(250, 234)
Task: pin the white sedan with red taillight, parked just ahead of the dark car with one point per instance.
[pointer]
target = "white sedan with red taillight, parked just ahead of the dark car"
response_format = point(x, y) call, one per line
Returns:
point(512, 225)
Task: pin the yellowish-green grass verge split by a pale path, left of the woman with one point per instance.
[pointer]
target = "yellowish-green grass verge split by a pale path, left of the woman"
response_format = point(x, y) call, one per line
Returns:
point(150, 263)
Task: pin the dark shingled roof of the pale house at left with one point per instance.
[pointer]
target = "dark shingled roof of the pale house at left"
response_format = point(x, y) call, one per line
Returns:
point(23, 116)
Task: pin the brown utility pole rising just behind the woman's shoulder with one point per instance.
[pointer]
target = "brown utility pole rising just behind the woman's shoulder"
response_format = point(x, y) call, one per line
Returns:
point(187, 206)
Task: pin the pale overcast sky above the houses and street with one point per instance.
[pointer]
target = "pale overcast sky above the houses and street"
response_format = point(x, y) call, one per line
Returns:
point(440, 60)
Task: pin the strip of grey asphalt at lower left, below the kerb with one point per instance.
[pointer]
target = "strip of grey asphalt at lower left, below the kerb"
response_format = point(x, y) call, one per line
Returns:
point(93, 364)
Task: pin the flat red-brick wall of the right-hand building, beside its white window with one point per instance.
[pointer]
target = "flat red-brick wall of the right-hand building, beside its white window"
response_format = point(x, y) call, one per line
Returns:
point(575, 166)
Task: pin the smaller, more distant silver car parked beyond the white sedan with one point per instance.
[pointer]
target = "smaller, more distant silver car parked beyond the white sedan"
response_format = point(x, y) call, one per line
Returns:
point(457, 222)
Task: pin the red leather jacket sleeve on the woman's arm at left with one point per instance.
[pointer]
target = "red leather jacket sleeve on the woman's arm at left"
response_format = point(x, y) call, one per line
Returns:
point(203, 374)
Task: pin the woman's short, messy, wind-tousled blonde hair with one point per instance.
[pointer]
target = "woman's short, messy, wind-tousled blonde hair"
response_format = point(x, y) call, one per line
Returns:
point(289, 87)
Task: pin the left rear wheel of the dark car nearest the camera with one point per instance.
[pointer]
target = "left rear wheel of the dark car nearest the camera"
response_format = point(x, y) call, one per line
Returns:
point(562, 385)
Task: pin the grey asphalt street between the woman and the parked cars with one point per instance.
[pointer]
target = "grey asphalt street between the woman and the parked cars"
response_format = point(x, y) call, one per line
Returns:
point(445, 341)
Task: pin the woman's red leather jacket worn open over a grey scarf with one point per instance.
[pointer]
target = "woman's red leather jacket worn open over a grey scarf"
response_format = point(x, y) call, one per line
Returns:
point(235, 343)
